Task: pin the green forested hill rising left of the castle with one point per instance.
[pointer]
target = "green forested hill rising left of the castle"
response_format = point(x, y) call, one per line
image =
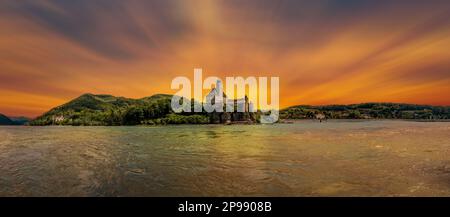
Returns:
point(107, 110)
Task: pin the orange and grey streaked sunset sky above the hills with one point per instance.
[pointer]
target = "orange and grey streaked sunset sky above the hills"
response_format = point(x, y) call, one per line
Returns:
point(325, 52)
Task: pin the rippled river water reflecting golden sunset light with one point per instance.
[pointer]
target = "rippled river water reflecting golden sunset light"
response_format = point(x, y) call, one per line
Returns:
point(337, 158)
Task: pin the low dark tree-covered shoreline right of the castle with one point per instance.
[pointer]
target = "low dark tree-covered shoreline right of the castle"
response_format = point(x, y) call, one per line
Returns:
point(368, 111)
